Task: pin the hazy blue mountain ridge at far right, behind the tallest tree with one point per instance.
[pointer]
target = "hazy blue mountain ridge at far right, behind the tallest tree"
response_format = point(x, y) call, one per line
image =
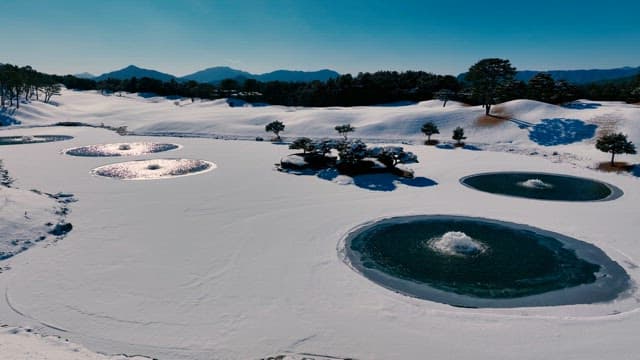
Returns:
point(579, 76)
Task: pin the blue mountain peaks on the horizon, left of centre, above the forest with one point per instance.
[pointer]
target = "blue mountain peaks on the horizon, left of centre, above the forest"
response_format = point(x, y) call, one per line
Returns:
point(217, 74)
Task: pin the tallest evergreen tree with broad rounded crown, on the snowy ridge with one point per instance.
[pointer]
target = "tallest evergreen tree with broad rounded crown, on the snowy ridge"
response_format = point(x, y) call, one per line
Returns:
point(487, 76)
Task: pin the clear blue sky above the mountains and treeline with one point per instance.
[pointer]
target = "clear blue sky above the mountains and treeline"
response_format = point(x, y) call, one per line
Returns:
point(446, 37)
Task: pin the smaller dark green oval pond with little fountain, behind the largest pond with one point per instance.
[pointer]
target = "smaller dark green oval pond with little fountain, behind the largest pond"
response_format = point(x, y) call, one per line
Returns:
point(542, 186)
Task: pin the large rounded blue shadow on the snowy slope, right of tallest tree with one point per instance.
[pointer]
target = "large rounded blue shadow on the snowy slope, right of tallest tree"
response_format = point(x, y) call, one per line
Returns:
point(560, 131)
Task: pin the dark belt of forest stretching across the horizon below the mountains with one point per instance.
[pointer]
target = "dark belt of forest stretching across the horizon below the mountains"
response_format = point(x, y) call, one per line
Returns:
point(346, 90)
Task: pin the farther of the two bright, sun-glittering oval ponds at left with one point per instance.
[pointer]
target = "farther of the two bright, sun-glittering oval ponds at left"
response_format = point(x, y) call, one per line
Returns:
point(121, 149)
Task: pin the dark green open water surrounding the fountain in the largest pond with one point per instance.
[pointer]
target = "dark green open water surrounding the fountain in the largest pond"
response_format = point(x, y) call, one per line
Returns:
point(515, 263)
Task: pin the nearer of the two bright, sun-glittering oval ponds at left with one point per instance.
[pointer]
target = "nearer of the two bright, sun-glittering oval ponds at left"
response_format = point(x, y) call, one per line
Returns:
point(154, 169)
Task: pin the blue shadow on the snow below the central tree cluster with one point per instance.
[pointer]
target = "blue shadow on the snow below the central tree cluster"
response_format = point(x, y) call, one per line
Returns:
point(371, 182)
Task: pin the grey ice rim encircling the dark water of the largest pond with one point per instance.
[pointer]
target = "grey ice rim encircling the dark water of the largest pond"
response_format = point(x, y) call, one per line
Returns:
point(611, 272)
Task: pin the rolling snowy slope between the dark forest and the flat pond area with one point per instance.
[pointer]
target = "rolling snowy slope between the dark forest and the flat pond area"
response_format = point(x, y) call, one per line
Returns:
point(528, 124)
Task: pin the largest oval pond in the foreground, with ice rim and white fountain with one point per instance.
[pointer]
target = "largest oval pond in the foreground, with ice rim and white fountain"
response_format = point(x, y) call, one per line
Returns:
point(474, 262)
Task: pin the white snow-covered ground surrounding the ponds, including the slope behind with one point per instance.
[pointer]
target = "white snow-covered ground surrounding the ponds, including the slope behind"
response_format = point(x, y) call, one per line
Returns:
point(244, 262)
